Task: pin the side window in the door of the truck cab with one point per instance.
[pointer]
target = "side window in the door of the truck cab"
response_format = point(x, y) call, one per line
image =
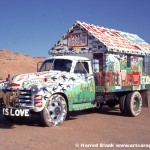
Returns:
point(81, 67)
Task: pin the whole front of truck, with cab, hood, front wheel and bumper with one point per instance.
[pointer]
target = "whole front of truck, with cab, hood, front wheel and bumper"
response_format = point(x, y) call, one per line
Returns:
point(63, 83)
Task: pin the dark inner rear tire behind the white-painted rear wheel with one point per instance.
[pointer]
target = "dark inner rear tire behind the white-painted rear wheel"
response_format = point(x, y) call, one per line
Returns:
point(122, 105)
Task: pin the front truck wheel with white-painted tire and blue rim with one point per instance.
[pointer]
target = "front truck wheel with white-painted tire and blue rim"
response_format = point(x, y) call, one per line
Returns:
point(55, 111)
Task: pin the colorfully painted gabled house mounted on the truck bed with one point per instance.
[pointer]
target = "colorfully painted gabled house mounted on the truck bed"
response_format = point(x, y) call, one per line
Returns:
point(121, 60)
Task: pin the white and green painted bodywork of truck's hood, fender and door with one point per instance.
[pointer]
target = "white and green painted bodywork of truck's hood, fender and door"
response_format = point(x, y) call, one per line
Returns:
point(77, 86)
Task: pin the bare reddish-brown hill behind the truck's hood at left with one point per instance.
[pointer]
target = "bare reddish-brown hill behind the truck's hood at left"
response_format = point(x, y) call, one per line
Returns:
point(17, 63)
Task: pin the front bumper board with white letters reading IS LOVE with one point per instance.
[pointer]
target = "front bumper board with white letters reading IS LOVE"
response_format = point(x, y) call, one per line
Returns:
point(16, 112)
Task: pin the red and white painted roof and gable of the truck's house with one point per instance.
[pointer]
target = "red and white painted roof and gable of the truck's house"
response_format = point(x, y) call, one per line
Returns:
point(111, 39)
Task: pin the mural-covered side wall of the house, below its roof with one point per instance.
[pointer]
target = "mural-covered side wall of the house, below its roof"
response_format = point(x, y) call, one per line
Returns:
point(121, 72)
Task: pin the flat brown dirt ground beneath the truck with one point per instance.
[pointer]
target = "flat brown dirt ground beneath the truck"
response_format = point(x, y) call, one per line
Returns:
point(85, 130)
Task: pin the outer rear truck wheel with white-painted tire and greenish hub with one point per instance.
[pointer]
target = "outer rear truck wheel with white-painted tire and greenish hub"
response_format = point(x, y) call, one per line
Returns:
point(134, 103)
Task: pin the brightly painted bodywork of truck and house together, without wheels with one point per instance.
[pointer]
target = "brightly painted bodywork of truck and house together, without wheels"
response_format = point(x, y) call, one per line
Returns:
point(120, 63)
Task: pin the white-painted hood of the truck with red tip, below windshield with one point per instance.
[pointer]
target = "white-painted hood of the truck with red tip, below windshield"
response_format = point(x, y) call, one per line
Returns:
point(28, 80)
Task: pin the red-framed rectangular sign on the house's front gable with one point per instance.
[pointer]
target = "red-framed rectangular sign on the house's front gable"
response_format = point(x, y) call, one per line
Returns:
point(78, 39)
